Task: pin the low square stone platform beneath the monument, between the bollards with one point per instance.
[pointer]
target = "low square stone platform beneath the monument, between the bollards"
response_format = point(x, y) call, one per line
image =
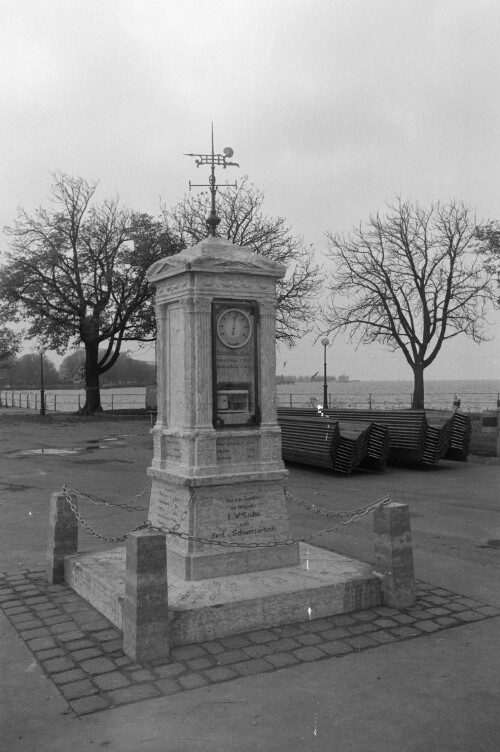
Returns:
point(324, 583)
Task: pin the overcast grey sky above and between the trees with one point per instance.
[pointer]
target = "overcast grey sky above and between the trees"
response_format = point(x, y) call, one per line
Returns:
point(331, 106)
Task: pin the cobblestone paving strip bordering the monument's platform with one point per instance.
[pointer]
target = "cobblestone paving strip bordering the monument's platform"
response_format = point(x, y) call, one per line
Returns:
point(82, 652)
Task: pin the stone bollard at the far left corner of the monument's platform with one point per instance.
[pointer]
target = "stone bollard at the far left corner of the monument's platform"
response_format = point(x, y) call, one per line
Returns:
point(62, 537)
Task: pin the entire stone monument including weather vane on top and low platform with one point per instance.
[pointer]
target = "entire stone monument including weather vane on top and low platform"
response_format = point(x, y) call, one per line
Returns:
point(218, 480)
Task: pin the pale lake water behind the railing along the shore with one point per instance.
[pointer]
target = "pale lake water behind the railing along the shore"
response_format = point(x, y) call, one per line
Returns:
point(474, 395)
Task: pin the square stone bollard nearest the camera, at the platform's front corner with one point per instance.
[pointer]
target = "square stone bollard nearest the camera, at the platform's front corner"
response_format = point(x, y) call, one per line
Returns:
point(145, 610)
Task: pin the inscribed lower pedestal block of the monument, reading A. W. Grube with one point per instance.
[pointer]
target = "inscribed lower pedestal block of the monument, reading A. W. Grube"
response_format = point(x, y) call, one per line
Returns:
point(232, 511)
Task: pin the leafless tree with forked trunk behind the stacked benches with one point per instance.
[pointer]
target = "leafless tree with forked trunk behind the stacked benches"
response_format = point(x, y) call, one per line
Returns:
point(410, 280)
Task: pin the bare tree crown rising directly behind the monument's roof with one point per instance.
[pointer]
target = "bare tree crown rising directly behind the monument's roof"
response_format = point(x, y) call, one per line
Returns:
point(244, 223)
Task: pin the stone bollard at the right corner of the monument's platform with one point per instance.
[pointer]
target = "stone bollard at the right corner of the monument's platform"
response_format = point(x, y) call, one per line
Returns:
point(394, 554)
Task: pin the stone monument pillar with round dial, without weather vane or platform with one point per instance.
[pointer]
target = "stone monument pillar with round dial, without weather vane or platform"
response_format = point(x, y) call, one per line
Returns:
point(217, 473)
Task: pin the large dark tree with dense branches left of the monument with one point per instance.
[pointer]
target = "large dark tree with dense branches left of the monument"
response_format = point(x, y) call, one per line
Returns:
point(77, 273)
